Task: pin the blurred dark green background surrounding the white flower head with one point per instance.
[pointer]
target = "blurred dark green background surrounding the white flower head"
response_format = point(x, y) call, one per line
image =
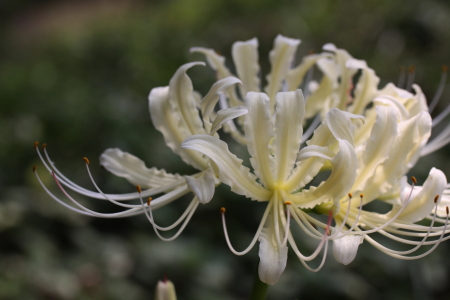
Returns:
point(76, 75)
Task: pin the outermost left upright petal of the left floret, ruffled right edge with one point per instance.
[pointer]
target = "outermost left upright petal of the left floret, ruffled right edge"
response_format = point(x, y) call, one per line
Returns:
point(166, 120)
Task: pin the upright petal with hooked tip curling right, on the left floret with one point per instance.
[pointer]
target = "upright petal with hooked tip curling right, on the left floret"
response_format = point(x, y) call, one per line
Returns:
point(182, 99)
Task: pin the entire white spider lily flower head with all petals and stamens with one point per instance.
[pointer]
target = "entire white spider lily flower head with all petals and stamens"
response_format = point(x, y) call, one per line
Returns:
point(367, 138)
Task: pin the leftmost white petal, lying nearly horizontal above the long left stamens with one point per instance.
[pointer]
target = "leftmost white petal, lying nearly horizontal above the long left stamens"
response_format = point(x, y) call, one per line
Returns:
point(125, 165)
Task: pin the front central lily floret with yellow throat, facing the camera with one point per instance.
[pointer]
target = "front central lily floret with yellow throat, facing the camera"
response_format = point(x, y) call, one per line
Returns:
point(282, 170)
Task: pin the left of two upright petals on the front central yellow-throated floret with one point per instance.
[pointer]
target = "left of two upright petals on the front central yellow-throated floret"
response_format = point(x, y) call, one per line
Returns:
point(259, 133)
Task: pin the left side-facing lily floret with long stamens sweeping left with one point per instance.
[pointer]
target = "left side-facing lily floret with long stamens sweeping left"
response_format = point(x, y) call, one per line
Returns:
point(175, 114)
